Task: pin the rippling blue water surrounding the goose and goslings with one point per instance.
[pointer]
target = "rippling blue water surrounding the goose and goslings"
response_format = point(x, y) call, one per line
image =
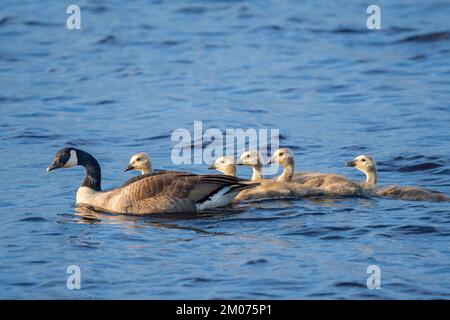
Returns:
point(140, 69)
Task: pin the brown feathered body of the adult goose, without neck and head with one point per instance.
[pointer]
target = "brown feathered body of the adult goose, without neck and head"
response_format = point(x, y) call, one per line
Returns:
point(163, 192)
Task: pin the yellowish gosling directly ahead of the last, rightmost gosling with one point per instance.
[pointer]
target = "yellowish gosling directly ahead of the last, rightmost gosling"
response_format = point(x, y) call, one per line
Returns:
point(324, 183)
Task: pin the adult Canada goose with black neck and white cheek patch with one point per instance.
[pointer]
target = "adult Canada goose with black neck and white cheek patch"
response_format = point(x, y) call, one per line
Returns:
point(164, 192)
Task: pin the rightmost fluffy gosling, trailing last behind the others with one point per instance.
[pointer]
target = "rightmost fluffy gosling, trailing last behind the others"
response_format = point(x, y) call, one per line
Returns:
point(367, 165)
